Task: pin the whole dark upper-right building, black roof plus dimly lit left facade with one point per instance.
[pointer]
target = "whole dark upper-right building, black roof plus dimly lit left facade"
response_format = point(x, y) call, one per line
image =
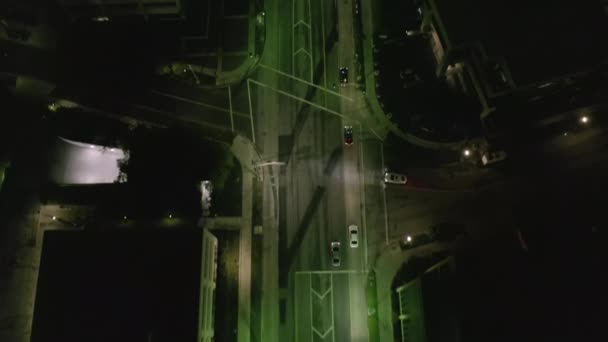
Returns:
point(493, 49)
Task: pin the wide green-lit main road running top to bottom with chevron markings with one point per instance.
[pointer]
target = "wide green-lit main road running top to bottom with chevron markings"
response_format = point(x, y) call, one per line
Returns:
point(300, 111)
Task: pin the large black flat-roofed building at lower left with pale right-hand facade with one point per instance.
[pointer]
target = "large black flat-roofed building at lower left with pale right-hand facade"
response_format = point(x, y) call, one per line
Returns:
point(126, 285)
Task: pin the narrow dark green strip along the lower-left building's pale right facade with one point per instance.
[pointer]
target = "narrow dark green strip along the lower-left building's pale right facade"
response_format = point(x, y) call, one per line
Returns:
point(226, 293)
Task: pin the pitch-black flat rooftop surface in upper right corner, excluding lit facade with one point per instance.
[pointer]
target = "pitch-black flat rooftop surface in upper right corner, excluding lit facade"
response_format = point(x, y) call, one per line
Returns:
point(539, 40)
